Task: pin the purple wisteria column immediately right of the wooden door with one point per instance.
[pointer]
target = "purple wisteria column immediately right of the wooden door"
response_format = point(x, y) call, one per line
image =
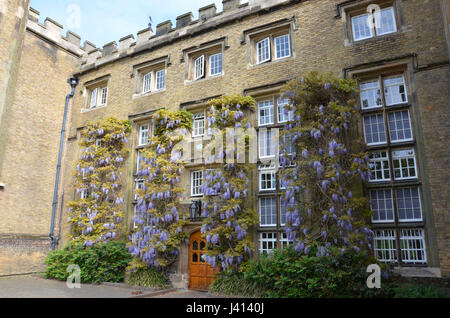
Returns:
point(227, 210)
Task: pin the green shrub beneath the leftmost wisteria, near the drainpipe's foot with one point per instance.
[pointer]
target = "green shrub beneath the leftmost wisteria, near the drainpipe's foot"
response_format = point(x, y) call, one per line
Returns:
point(99, 263)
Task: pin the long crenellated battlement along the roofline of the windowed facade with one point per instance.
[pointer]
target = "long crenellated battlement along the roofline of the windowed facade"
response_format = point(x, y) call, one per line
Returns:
point(166, 32)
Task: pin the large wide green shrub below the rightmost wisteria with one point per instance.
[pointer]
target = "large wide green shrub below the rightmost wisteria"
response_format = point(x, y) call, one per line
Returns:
point(287, 274)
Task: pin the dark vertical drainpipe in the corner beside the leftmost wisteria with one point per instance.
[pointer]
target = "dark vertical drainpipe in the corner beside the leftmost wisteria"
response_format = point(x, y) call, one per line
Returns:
point(73, 81)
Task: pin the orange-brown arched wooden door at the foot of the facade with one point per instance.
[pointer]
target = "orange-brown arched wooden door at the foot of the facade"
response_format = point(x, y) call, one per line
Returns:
point(201, 274)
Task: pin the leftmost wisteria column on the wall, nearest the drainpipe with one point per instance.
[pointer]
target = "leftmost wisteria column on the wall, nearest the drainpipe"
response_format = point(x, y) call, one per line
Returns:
point(96, 217)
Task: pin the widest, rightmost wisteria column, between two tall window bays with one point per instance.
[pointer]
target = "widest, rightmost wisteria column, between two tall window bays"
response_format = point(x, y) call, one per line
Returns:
point(329, 162)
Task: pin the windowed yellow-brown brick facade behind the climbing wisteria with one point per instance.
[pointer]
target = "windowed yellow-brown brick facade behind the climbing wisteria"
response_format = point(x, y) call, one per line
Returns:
point(401, 63)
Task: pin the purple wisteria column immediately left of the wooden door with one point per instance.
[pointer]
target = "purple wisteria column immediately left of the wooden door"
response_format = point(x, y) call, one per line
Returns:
point(159, 220)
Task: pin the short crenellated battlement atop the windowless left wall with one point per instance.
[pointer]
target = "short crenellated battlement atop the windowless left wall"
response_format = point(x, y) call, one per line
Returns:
point(53, 32)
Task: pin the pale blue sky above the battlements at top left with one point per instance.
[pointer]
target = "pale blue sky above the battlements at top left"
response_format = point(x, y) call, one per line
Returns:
point(103, 21)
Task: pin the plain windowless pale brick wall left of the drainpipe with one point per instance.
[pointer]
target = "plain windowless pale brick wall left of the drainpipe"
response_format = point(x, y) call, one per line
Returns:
point(31, 152)
